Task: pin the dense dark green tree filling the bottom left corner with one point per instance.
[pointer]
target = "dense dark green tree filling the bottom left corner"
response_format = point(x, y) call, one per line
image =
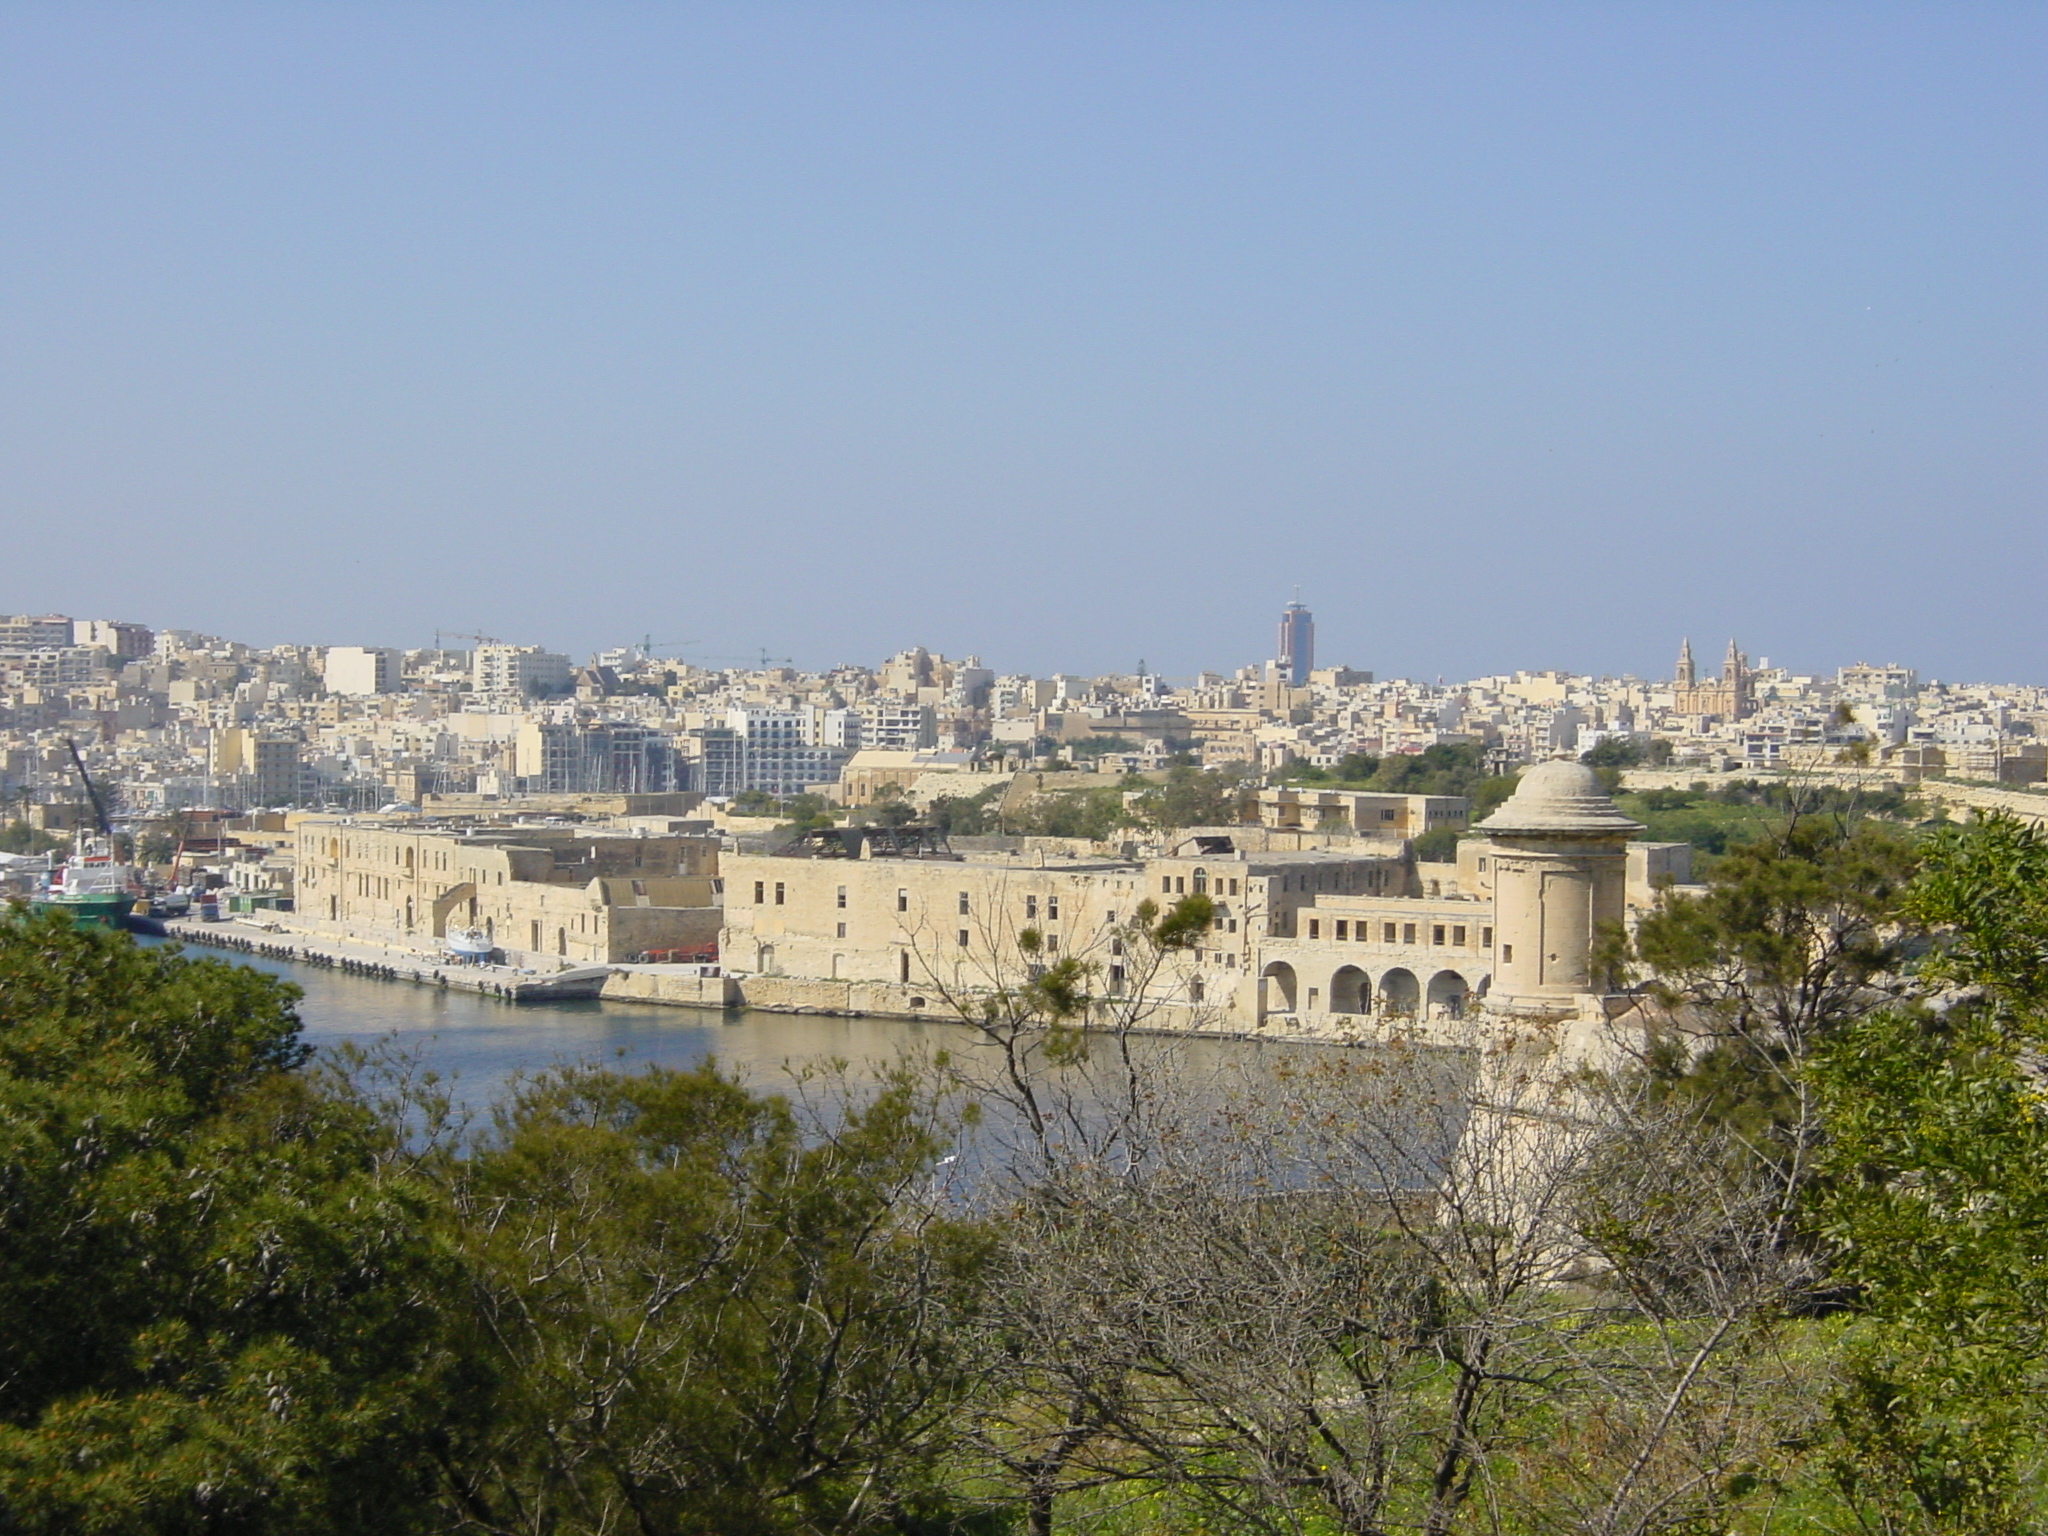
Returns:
point(220, 1310)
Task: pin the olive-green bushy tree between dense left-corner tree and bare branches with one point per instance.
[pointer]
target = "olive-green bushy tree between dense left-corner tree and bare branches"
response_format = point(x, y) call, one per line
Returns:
point(708, 1316)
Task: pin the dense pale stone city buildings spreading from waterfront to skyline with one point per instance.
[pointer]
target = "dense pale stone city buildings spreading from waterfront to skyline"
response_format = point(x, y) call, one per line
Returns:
point(595, 814)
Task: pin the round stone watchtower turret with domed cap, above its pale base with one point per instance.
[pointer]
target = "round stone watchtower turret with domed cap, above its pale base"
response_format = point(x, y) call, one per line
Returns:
point(1560, 878)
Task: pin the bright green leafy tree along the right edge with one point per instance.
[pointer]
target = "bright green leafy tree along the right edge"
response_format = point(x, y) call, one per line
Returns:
point(1938, 1199)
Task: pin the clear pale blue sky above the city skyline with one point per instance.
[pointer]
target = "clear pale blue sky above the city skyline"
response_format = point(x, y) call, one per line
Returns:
point(1064, 335)
